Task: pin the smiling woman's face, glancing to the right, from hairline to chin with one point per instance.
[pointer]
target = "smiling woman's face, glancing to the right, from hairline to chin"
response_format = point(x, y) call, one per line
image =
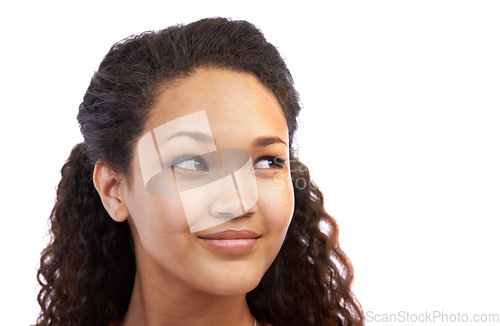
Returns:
point(230, 255)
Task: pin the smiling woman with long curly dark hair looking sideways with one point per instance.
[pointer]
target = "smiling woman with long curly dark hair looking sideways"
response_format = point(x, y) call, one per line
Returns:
point(179, 208)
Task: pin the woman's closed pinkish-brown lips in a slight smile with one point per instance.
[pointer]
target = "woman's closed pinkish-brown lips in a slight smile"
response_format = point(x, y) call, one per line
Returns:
point(231, 241)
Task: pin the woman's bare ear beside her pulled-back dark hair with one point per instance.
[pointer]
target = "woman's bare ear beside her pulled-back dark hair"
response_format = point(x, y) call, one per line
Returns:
point(110, 188)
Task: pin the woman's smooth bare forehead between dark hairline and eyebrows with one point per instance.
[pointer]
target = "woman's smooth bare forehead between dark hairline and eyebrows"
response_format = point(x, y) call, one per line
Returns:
point(235, 104)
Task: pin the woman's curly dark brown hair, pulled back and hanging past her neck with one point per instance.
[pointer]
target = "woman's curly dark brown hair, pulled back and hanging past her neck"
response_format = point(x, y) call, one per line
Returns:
point(85, 273)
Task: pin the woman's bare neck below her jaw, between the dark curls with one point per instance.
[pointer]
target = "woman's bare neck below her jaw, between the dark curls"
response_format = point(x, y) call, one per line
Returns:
point(160, 299)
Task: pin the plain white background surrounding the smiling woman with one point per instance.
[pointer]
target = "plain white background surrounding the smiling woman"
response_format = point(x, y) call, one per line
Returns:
point(400, 129)
